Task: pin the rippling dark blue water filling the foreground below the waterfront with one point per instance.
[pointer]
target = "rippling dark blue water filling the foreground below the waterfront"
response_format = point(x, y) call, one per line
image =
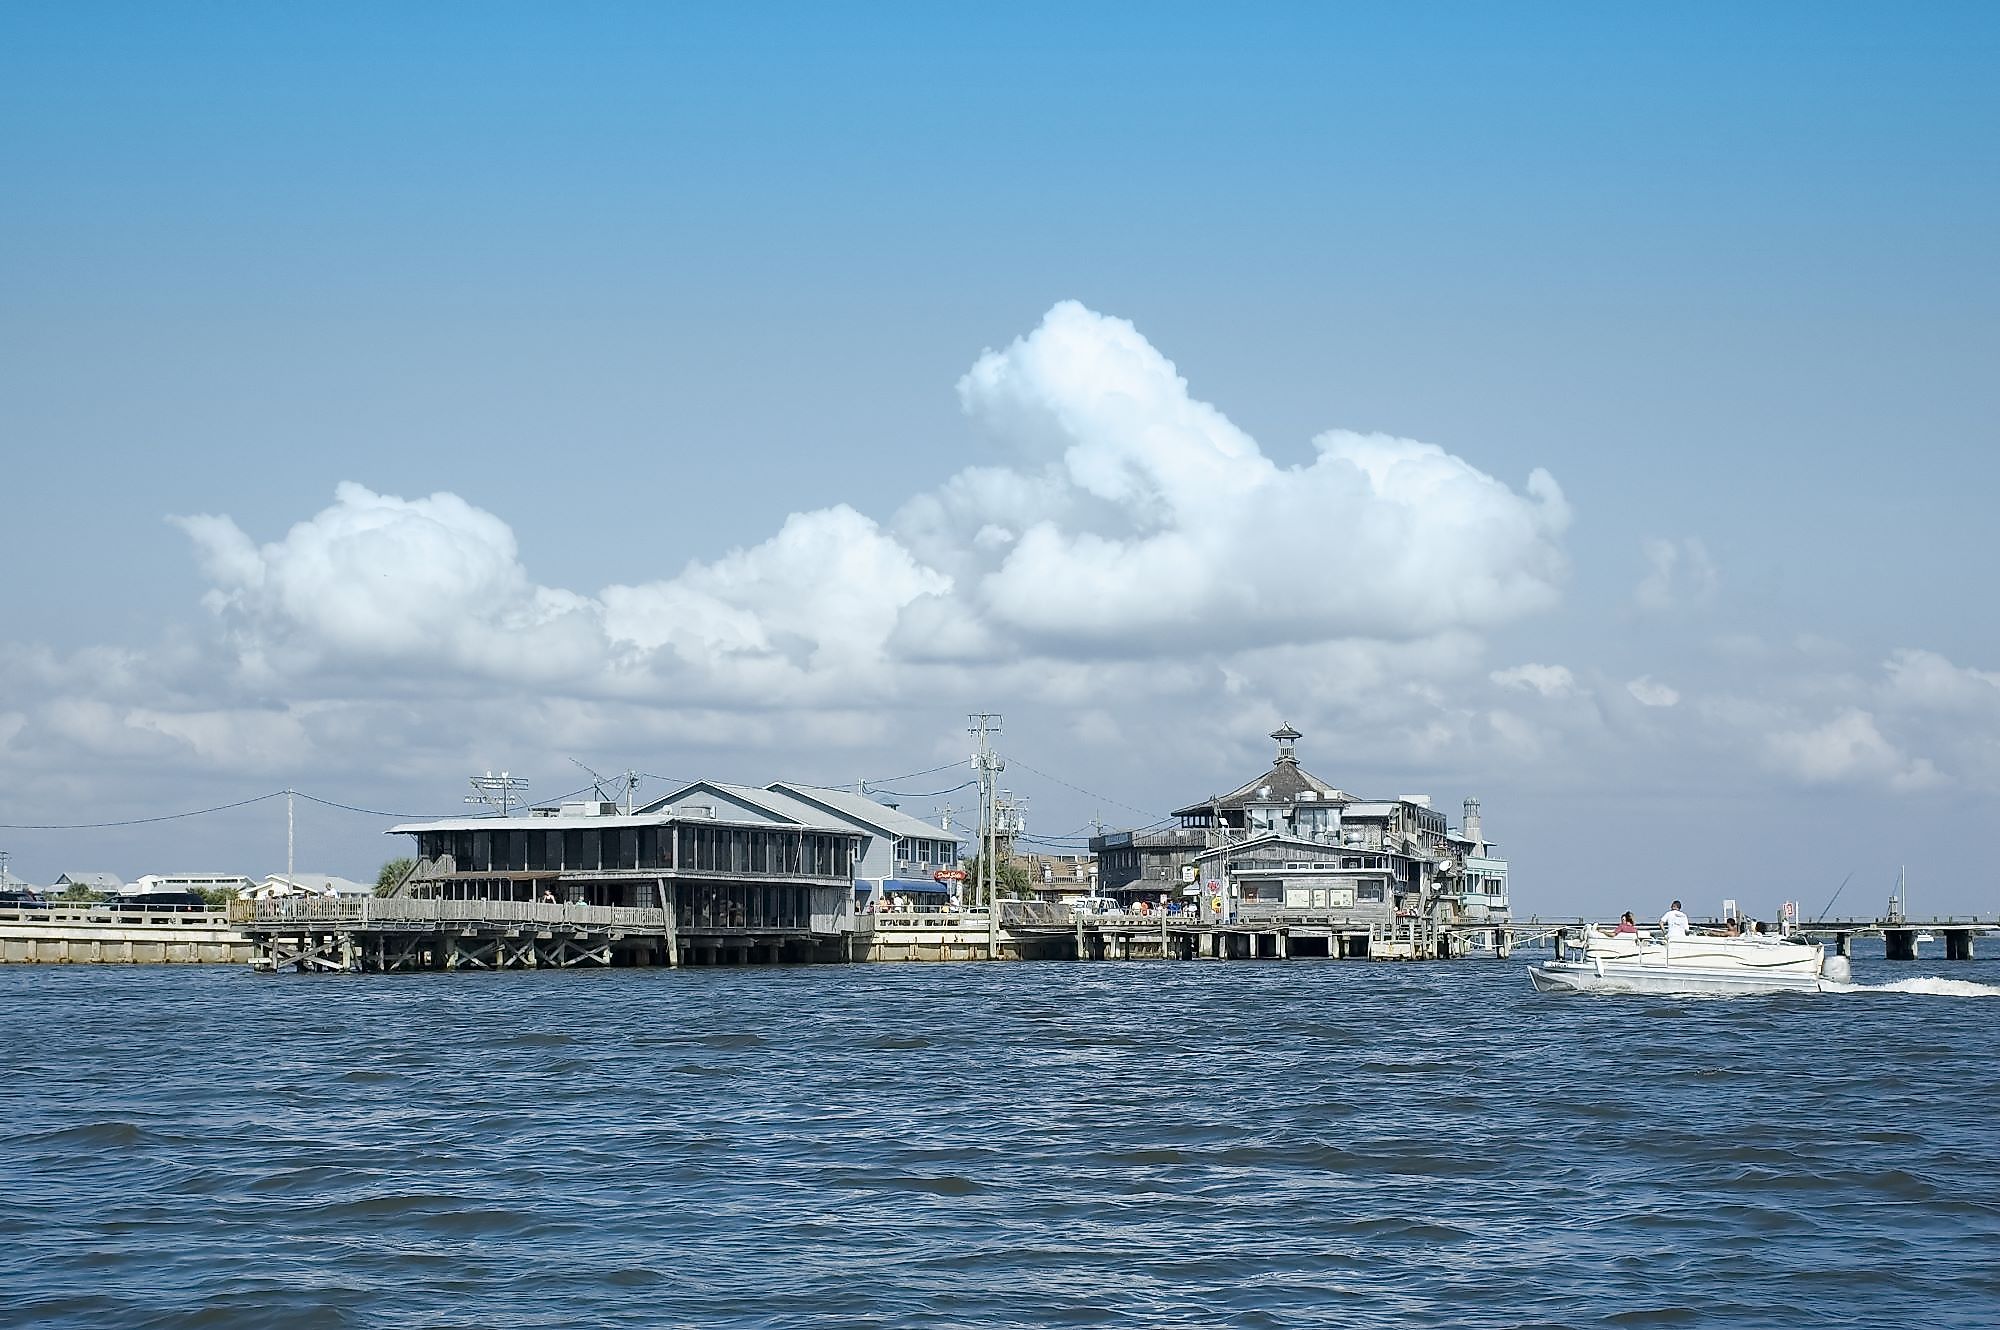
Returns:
point(995, 1145)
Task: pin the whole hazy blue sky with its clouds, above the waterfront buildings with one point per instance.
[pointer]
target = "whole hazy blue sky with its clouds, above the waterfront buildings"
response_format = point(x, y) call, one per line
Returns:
point(639, 285)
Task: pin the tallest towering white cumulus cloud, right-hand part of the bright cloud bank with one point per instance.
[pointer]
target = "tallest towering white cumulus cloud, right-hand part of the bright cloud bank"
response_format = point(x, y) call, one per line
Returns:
point(1145, 519)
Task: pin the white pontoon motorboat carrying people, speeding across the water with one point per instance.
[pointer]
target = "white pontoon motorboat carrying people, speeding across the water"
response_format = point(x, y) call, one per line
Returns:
point(1605, 961)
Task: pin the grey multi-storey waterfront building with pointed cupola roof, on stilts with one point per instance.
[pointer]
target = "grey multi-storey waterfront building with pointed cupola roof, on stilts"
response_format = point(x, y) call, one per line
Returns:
point(1293, 847)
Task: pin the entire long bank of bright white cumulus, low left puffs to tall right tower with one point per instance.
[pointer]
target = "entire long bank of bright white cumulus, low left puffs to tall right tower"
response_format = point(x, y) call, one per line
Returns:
point(1129, 521)
